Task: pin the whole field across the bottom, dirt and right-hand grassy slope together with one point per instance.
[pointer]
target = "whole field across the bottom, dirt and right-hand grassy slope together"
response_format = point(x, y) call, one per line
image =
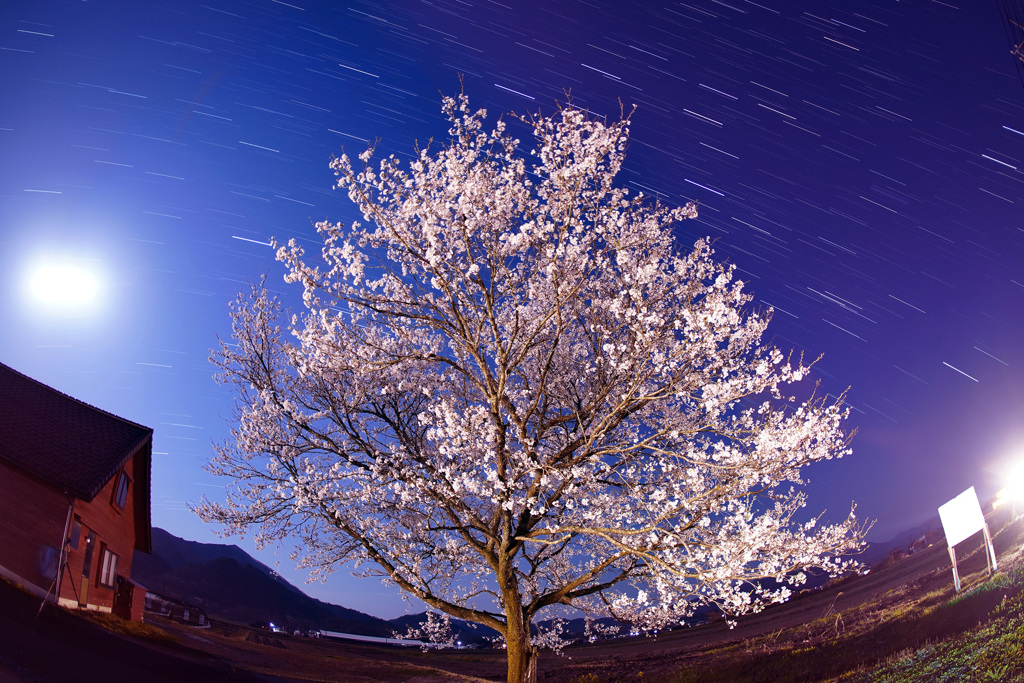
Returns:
point(900, 623)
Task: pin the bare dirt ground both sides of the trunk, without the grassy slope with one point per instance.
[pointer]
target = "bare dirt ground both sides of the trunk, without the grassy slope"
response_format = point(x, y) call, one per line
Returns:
point(63, 647)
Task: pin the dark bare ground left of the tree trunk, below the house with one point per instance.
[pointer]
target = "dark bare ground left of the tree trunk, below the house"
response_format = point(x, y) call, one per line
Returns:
point(58, 647)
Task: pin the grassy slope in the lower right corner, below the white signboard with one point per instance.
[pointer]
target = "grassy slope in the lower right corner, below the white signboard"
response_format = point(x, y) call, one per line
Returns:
point(905, 635)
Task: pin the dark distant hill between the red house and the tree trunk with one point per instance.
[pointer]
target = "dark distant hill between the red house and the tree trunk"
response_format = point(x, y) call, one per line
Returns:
point(227, 582)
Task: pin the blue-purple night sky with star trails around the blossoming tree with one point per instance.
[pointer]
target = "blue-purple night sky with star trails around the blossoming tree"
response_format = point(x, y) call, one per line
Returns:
point(860, 162)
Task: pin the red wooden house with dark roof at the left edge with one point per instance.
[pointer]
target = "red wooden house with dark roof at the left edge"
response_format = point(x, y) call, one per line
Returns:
point(74, 498)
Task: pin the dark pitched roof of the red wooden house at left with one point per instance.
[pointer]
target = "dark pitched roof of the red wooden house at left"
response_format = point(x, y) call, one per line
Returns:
point(67, 444)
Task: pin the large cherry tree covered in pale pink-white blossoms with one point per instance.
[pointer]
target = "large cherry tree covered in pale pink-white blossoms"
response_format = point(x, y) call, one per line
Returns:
point(513, 395)
